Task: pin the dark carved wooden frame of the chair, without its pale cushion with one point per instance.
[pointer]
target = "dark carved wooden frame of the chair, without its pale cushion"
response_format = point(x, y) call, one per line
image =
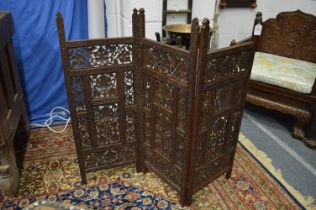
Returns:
point(293, 35)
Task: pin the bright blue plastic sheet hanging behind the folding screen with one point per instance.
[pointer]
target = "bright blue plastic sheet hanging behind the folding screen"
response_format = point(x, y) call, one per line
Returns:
point(37, 49)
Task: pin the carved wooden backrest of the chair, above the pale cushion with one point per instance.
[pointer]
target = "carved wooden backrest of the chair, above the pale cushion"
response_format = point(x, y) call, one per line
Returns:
point(290, 34)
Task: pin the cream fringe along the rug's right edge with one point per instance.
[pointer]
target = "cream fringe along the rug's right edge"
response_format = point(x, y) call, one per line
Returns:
point(306, 201)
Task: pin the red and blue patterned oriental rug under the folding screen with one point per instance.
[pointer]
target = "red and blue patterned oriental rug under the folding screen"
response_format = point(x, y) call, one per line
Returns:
point(50, 169)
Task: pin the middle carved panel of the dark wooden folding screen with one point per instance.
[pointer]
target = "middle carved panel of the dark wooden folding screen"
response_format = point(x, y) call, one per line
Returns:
point(165, 86)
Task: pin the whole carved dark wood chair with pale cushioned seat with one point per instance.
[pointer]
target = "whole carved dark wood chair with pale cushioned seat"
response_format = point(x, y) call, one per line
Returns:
point(284, 70)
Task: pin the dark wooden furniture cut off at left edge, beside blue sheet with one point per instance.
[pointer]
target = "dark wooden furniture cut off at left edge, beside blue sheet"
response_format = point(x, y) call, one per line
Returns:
point(13, 114)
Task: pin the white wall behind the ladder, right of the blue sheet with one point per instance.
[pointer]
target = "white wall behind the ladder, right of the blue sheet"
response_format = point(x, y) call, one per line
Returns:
point(119, 13)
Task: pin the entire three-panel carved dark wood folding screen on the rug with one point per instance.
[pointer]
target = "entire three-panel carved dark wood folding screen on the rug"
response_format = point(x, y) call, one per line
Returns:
point(174, 112)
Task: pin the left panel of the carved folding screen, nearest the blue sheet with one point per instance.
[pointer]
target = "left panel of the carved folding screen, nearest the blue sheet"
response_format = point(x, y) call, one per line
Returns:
point(100, 80)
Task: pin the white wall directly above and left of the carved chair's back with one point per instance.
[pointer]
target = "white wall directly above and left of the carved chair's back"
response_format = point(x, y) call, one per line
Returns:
point(237, 23)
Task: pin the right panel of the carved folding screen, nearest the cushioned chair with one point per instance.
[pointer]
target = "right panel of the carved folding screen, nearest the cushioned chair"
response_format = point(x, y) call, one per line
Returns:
point(223, 91)
